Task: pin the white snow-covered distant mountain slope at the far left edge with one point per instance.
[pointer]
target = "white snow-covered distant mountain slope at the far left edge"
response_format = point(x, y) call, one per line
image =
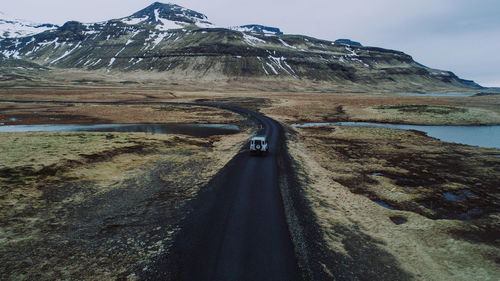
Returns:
point(13, 28)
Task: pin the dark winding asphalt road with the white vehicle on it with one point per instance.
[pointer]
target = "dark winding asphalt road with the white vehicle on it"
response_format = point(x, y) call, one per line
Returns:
point(237, 229)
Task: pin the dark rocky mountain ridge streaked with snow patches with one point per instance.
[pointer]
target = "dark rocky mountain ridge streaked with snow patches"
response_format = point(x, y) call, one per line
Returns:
point(182, 43)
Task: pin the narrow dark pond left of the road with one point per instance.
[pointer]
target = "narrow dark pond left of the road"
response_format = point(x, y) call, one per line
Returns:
point(197, 130)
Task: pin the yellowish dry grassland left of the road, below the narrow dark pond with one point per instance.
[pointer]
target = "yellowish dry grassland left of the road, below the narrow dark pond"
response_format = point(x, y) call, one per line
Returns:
point(82, 206)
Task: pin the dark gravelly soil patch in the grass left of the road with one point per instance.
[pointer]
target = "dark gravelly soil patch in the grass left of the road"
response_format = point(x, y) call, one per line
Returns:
point(118, 231)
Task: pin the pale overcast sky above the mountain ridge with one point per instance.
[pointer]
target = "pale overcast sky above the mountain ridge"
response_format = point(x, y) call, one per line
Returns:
point(462, 36)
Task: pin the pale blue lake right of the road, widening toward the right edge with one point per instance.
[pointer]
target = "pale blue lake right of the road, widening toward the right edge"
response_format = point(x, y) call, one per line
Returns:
point(485, 136)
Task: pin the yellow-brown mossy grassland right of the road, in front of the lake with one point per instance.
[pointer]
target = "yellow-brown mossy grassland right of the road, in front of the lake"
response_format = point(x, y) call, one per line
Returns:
point(351, 172)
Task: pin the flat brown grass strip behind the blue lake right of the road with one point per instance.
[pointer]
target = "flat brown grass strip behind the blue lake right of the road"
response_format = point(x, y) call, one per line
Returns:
point(313, 108)
